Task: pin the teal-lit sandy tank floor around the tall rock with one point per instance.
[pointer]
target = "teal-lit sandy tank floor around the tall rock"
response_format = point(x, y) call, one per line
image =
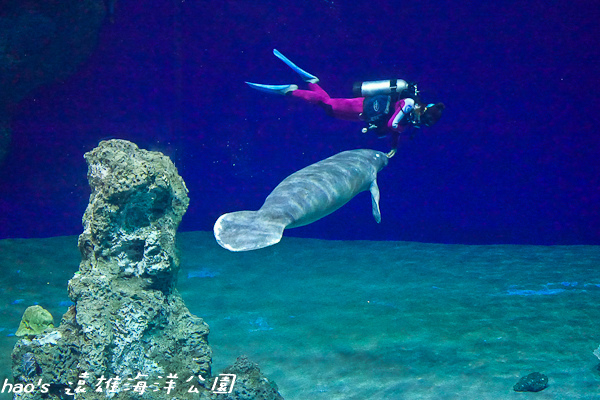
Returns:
point(333, 320)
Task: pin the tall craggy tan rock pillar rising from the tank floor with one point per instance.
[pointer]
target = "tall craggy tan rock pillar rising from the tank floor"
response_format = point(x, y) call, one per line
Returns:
point(129, 334)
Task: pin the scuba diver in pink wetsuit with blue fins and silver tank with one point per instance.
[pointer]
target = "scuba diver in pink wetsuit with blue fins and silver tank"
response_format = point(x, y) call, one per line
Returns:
point(387, 107)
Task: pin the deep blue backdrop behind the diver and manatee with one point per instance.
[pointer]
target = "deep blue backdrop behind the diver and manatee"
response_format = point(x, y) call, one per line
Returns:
point(513, 160)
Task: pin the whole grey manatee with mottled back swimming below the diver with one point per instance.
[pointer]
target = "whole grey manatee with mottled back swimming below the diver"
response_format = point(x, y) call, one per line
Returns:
point(302, 198)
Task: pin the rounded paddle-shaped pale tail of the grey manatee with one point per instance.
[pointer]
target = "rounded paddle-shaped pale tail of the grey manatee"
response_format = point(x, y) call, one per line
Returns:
point(247, 230)
